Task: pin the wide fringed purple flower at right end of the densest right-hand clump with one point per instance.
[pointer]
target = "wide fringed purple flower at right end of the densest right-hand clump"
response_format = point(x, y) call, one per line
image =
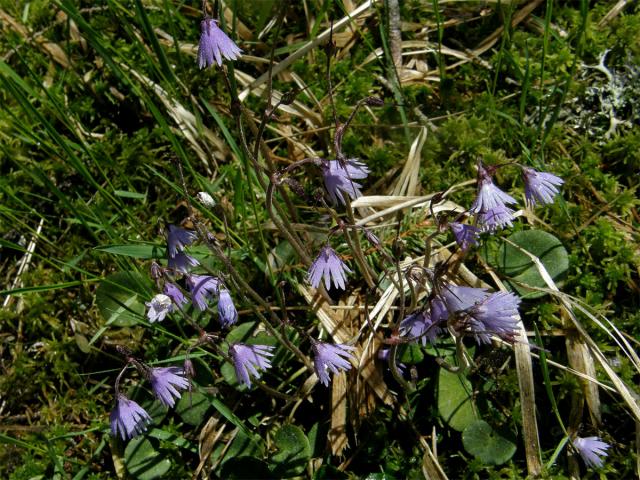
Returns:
point(496, 314)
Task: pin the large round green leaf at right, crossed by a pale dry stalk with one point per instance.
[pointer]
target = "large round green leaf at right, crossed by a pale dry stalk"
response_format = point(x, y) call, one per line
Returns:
point(512, 262)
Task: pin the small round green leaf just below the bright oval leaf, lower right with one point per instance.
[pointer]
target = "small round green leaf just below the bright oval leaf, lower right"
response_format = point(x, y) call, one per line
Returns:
point(485, 443)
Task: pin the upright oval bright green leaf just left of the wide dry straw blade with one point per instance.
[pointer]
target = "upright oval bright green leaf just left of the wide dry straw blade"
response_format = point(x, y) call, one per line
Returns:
point(455, 402)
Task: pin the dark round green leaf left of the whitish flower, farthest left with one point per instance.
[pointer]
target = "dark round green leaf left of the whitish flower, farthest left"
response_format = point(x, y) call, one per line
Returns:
point(120, 298)
